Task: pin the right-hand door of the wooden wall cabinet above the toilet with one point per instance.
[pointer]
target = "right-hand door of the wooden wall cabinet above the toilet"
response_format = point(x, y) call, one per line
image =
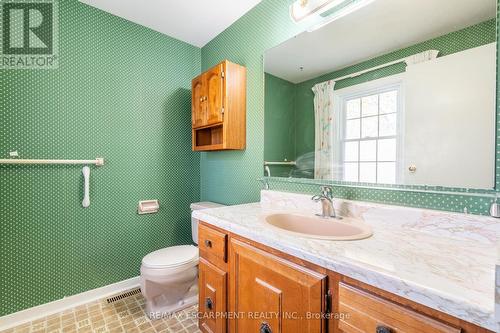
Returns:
point(214, 93)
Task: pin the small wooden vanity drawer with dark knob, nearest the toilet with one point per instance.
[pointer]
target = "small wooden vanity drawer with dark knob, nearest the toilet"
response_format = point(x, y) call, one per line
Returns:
point(212, 244)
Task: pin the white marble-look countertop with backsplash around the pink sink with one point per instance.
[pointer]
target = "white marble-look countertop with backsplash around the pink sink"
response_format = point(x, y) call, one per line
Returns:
point(442, 260)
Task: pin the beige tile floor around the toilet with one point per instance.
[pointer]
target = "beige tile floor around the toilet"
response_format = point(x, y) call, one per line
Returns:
point(125, 315)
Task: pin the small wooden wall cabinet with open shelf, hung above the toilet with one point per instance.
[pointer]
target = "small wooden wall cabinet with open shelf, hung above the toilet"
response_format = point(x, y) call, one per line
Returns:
point(219, 108)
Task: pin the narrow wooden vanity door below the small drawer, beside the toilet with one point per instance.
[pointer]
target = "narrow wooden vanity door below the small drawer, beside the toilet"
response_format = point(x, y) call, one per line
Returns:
point(212, 298)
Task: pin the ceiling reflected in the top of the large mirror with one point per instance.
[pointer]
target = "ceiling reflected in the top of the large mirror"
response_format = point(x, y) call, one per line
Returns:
point(381, 27)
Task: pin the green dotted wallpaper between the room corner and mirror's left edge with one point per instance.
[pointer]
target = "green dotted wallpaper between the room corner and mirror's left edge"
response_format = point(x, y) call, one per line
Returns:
point(231, 177)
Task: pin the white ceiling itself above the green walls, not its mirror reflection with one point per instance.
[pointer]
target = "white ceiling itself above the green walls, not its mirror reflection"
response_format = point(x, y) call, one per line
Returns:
point(193, 21)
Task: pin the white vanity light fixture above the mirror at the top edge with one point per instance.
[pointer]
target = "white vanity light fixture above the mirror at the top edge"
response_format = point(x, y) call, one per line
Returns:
point(325, 11)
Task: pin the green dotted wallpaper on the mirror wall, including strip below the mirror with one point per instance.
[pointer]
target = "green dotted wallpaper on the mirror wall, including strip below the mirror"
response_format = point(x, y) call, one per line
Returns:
point(230, 177)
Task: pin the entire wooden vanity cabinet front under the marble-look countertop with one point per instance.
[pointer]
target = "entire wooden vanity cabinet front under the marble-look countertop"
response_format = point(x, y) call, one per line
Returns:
point(248, 287)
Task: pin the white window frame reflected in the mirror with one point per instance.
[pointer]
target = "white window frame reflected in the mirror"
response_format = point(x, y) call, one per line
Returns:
point(360, 91)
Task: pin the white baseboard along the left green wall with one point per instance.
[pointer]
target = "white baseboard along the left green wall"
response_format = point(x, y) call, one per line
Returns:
point(68, 302)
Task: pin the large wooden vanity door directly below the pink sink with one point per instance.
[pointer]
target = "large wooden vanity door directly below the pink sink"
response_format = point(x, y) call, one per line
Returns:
point(269, 294)
